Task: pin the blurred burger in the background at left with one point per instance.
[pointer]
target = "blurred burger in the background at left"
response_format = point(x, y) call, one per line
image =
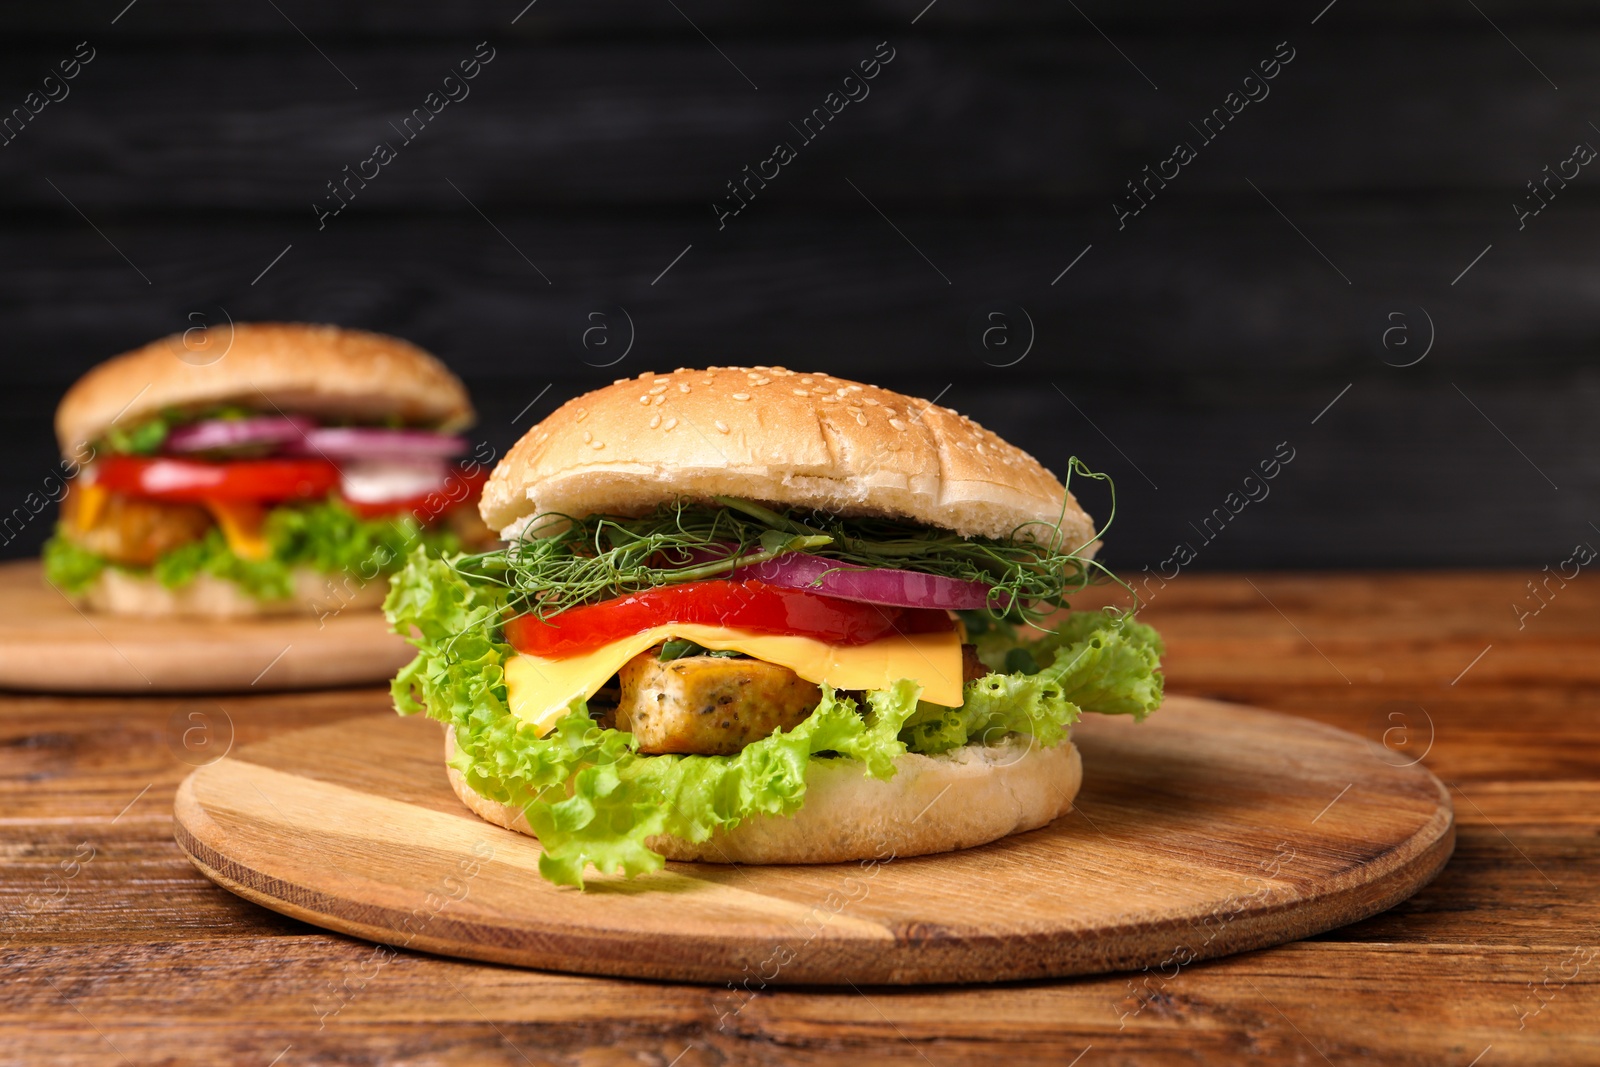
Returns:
point(260, 470)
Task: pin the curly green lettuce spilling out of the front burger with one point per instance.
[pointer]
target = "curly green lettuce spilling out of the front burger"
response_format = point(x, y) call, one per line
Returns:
point(594, 801)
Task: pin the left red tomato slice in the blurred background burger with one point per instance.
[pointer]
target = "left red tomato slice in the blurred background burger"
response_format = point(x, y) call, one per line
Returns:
point(196, 481)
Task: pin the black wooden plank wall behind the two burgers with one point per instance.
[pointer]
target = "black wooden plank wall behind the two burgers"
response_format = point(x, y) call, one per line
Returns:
point(1177, 353)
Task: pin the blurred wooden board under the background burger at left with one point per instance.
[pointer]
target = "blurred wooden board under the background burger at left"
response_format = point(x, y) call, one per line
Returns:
point(49, 645)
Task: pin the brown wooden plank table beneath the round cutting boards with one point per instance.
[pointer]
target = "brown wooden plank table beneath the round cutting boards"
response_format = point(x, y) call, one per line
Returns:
point(113, 945)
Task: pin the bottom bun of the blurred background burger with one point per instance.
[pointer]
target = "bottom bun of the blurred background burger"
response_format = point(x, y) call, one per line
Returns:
point(209, 597)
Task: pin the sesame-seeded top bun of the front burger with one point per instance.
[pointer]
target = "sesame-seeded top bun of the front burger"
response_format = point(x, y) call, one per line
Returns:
point(780, 438)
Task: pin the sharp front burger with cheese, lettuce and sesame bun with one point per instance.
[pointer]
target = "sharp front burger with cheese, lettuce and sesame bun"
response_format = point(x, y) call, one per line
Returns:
point(754, 617)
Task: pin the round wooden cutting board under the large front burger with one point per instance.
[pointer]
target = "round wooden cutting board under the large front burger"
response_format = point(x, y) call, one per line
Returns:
point(1204, 831)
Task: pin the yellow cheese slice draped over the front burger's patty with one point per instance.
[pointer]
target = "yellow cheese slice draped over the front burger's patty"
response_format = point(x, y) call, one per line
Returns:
point(542, 689)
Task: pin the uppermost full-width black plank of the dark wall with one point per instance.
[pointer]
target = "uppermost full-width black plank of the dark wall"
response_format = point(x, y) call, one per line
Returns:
point(974, 122)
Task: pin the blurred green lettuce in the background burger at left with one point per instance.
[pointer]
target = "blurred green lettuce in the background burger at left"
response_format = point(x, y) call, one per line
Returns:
point(324, 537)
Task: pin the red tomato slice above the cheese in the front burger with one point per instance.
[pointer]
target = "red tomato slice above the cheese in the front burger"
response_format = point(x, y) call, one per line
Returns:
point(746, 605)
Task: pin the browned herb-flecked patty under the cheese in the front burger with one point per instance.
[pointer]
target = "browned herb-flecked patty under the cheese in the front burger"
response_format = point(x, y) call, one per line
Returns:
point(710, 705)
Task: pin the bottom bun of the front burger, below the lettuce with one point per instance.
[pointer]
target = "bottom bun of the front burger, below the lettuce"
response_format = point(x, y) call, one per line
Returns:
point(932, 805)
